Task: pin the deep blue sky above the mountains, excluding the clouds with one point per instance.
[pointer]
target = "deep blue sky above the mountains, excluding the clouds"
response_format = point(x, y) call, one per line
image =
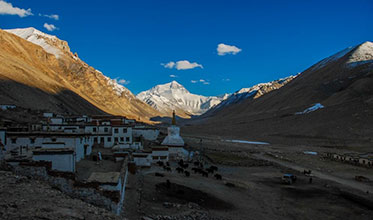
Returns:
point(130, 40)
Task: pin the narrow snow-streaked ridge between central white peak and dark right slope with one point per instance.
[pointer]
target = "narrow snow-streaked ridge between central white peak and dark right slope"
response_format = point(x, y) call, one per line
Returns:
point(253, 92)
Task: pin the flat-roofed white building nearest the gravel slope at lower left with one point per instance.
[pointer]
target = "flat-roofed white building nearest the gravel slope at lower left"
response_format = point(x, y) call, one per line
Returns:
point(63, 159)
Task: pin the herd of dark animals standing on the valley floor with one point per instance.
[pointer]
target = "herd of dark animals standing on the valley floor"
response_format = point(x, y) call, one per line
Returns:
point(198, 168)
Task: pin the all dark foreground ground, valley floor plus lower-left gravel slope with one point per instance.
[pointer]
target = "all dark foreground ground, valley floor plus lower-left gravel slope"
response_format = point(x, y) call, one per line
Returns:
point(251, 188)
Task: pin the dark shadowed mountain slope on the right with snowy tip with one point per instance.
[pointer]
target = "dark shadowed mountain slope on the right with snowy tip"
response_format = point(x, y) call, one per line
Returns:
point(330, 103)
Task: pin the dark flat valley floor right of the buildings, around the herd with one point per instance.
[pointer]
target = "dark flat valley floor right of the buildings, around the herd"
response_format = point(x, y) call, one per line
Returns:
point(251, 187)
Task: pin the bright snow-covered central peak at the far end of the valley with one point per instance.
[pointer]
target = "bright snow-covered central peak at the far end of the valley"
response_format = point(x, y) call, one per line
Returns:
point(173, 96)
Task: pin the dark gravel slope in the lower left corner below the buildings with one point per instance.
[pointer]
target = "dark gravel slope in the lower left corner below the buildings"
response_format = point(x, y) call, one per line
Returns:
point(22, 198)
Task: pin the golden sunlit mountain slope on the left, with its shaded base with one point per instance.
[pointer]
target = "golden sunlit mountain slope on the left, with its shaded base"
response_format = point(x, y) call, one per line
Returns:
point(38, 71)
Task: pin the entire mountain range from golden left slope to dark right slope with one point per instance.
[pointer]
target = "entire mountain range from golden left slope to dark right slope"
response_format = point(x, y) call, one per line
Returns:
point(330, 102)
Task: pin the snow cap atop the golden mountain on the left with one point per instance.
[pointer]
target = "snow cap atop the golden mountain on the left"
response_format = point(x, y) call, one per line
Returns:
point(37, 37)
